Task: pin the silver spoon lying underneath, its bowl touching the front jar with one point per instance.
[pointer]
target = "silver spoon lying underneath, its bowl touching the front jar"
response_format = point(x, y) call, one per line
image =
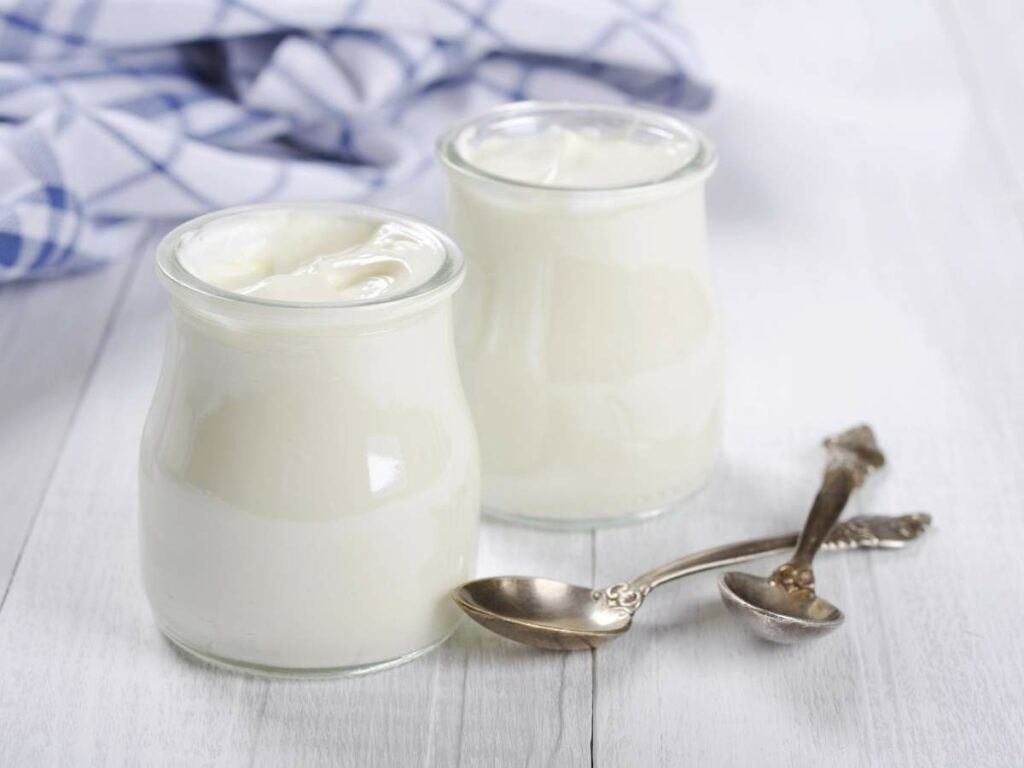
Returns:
point(560, 616)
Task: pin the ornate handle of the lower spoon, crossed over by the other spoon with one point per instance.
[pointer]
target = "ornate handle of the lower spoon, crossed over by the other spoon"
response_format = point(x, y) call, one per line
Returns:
point(859, 533)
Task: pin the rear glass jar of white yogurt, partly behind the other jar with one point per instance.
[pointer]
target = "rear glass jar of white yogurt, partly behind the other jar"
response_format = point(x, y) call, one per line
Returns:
point(589, 333)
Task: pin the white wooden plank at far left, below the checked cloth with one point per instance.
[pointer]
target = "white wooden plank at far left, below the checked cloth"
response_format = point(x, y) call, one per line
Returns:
point(51, 334)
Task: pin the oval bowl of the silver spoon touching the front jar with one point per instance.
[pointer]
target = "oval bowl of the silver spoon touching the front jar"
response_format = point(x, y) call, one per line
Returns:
point(545, 613)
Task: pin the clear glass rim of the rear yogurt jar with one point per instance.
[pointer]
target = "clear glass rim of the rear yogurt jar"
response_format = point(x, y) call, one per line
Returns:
point(697, 168)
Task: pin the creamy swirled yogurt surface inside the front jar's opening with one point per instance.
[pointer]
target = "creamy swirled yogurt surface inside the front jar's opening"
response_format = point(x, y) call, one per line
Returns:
point(298, 257)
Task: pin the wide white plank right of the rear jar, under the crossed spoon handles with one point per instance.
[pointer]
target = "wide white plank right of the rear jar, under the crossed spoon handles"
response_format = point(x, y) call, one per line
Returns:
point(871, 268)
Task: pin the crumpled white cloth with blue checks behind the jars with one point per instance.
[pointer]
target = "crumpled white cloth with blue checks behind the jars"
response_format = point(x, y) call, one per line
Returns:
point(118, 112)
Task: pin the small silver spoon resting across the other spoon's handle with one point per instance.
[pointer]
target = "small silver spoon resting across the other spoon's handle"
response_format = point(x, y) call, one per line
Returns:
point(785, 608)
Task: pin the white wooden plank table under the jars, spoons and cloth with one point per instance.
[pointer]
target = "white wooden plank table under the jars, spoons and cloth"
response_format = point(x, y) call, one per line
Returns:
point(868, 225)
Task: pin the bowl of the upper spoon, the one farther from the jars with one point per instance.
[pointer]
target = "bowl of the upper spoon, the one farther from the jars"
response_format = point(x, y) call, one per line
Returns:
point(776, 614)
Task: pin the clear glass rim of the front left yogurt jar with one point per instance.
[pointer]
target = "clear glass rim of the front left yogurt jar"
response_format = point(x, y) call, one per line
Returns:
point(182, 282)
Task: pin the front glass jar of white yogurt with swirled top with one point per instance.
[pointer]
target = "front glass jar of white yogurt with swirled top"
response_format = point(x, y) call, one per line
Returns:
point(310, 471)
